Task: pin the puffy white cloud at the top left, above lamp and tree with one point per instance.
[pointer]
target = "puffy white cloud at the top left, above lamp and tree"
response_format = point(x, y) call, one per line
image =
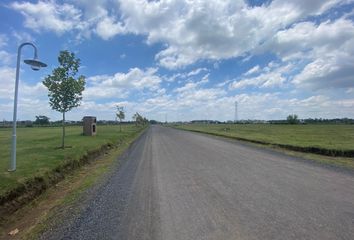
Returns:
point(62, 18)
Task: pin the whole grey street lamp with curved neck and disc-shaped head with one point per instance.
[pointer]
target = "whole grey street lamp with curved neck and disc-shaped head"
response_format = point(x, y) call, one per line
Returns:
point(35, 65)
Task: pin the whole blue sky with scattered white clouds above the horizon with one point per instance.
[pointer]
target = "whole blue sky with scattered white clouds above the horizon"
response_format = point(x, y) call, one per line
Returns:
point(181, 60)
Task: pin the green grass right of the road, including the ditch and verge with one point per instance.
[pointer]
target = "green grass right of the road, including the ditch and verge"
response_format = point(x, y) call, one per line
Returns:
point(331, 137)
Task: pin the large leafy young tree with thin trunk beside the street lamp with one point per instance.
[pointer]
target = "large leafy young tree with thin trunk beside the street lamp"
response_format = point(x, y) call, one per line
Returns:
point(65, 90)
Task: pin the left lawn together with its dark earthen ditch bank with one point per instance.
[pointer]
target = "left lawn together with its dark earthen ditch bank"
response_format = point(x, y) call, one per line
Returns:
point(41, 164)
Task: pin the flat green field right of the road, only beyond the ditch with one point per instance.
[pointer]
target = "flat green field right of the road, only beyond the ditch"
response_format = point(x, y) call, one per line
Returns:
point(330, 136)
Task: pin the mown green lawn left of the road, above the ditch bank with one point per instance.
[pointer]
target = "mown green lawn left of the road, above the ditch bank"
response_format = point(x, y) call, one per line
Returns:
point(38, 153)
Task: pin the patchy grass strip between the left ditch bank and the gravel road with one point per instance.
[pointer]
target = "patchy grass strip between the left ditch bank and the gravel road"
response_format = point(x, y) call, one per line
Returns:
point(51, 207)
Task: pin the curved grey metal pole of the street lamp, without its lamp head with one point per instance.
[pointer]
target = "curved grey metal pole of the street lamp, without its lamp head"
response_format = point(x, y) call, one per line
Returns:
point(14, 122)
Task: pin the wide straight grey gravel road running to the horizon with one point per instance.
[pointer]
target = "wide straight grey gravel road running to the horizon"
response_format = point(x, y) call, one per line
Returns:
point(181, 185)
